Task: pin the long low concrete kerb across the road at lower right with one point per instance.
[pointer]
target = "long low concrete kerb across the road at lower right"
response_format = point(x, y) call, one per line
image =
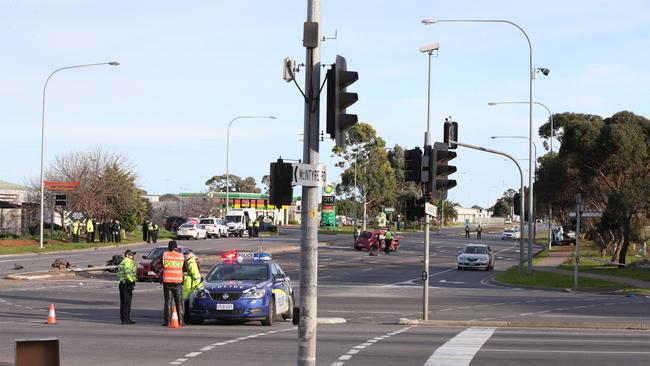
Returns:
point(524, 324)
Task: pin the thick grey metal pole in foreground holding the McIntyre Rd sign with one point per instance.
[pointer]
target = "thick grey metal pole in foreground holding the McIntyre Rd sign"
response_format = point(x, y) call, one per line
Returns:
point(309, 218)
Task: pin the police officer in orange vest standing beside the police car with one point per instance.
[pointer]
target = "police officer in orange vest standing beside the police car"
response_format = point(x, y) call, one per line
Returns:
point(170, 267)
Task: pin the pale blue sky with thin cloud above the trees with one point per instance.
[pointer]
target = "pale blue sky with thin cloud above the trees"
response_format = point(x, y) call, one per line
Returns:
point(187, 68)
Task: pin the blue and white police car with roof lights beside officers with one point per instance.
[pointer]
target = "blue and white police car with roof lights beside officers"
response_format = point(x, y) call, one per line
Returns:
point(243, 286)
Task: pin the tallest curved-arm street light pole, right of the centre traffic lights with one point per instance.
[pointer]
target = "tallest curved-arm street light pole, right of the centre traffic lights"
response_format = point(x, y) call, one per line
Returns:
point(531, 76)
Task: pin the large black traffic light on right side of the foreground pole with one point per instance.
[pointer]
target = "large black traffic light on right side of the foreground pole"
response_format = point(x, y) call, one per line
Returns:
point(338, 100)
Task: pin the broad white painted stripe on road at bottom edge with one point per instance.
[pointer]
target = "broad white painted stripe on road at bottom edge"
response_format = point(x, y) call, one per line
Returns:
point(460, 350)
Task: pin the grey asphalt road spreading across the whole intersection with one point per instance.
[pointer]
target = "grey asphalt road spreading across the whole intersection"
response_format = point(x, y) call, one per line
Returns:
point(371, 292)
